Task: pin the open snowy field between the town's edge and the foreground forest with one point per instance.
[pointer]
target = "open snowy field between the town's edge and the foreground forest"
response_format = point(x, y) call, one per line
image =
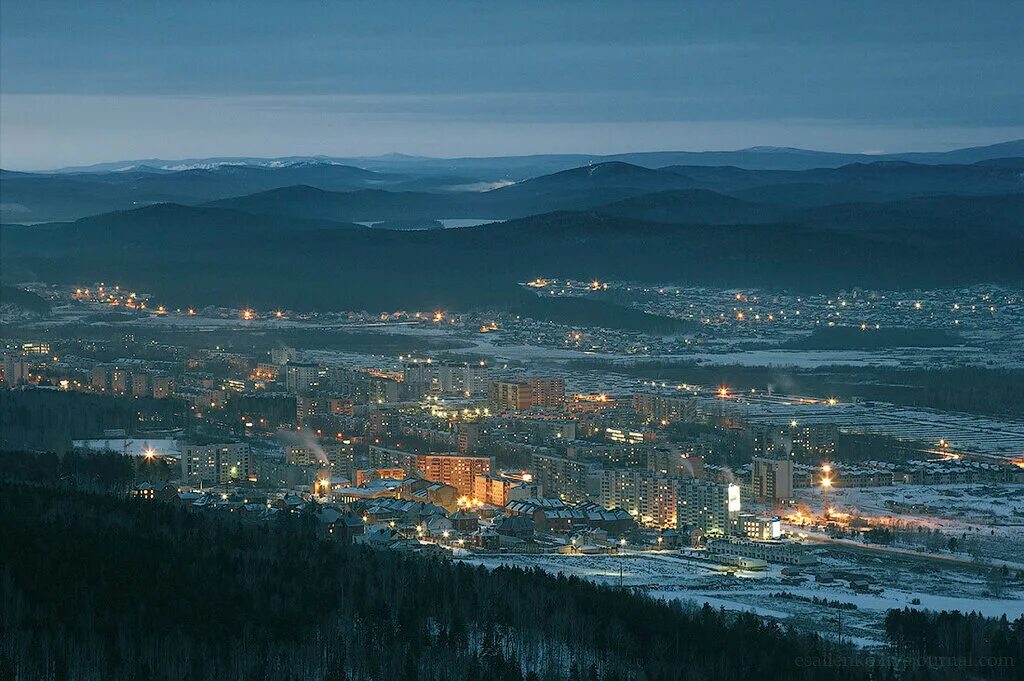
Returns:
point(671, 577)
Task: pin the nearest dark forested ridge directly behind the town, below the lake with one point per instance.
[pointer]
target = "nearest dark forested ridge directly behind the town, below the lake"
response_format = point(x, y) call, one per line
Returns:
point(209, 256)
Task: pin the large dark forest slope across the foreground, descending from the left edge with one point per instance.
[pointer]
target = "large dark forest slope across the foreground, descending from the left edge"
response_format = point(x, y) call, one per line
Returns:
point(100, 587)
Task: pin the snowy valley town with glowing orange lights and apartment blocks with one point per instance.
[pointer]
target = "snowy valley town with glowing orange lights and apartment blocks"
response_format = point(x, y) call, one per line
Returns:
point(501, 453)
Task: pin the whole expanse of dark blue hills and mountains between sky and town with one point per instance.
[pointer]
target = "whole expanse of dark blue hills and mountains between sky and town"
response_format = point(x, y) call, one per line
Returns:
point(293, 234)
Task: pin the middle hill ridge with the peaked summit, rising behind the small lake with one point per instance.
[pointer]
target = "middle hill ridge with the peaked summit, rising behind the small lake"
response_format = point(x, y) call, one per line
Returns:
point(592, 187)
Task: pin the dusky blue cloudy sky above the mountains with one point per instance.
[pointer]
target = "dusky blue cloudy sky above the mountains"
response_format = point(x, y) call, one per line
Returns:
point(89, 82)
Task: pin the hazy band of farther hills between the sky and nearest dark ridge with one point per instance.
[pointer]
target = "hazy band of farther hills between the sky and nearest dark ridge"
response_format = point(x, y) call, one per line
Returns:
point(303, 189)
